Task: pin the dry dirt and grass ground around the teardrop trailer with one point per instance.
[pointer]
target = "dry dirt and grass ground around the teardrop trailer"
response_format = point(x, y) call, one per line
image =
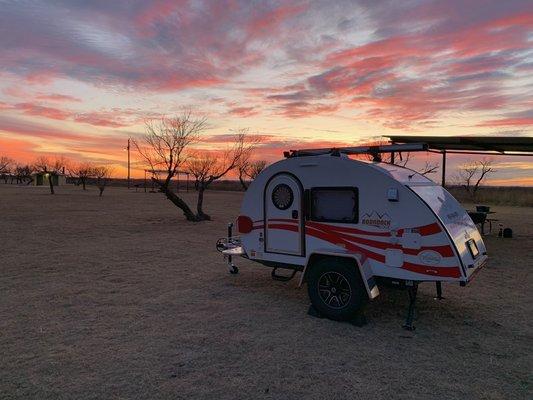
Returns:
point(120, 298)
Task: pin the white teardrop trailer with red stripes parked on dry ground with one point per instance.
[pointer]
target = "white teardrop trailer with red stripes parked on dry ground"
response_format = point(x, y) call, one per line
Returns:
point(349, 226)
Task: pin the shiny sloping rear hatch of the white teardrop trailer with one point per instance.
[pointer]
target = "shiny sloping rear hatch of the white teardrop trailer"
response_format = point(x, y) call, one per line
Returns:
point(458, 224)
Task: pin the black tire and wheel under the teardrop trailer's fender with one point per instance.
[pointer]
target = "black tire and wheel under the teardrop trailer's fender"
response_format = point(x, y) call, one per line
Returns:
point(344, 281)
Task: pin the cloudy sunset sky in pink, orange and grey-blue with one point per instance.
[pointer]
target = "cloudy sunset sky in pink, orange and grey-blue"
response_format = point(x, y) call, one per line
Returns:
point(78, 78)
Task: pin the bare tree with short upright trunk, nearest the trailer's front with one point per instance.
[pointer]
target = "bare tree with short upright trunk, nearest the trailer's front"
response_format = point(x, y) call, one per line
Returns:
point(207, 167)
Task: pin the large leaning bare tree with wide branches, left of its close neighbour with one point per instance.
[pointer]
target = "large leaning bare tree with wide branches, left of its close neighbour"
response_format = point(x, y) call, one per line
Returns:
point(164, 149)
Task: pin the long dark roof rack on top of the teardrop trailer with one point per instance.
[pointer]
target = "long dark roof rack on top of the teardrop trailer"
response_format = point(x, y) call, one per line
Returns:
point(373, 150)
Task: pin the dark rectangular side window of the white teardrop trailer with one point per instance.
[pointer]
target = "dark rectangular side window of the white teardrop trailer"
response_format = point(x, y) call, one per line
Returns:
point(335, 204)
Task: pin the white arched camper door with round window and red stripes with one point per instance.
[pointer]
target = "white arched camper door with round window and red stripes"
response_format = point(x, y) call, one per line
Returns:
point(283, 216)
